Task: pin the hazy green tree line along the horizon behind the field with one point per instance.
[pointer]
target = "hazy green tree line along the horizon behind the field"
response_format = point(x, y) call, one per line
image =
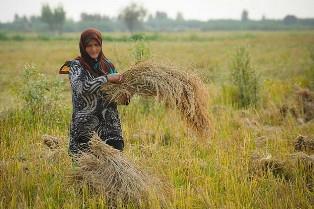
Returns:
point(134, 18)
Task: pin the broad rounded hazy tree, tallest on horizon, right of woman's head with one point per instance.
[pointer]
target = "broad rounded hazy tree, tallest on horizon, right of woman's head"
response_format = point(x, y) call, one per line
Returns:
point(133, 16)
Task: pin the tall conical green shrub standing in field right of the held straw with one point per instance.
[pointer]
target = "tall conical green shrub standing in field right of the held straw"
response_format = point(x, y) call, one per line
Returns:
point(244, 79)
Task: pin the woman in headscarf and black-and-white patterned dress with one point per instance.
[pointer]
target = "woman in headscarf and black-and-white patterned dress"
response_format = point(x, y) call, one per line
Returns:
point(91, 112)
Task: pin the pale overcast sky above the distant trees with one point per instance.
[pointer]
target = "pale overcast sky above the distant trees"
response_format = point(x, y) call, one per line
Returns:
point(191, 9)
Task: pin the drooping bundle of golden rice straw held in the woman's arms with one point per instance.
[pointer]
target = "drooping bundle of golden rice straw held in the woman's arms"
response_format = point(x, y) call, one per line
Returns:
point(168, 84)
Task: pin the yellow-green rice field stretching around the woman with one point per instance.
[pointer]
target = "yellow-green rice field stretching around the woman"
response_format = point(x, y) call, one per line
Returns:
point(202, 172)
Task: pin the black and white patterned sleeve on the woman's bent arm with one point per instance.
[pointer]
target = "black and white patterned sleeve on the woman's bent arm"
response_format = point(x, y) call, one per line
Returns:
point(82, 82)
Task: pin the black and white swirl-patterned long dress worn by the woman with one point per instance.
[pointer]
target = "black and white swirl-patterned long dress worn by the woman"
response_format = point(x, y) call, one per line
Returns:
point(91, 113)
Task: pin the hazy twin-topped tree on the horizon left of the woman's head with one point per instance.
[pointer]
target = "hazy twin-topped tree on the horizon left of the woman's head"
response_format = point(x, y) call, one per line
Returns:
point(55, 19)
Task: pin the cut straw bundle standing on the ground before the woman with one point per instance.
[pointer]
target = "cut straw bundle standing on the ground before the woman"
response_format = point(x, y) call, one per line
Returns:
point(108, 172)
